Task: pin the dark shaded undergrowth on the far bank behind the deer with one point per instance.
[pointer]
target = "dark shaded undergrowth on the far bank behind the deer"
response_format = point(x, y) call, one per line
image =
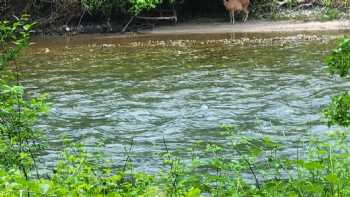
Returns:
point(55, 13)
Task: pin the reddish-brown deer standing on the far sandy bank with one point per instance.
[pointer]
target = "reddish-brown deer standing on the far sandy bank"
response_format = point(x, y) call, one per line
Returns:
point(237, 5)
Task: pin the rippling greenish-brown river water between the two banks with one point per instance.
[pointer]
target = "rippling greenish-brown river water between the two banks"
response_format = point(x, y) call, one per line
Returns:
point(182, 92)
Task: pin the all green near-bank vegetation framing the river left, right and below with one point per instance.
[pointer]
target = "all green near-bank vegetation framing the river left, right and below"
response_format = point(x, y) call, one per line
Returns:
point(317, 166)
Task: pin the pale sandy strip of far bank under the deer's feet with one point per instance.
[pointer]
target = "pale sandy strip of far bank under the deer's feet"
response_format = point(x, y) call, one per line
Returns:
point(251, 27)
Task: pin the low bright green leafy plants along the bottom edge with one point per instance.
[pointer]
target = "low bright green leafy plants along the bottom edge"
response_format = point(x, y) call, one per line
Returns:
point(321, 168)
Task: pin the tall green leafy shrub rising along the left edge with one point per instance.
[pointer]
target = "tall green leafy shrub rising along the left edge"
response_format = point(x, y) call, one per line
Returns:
point(20, 142)
